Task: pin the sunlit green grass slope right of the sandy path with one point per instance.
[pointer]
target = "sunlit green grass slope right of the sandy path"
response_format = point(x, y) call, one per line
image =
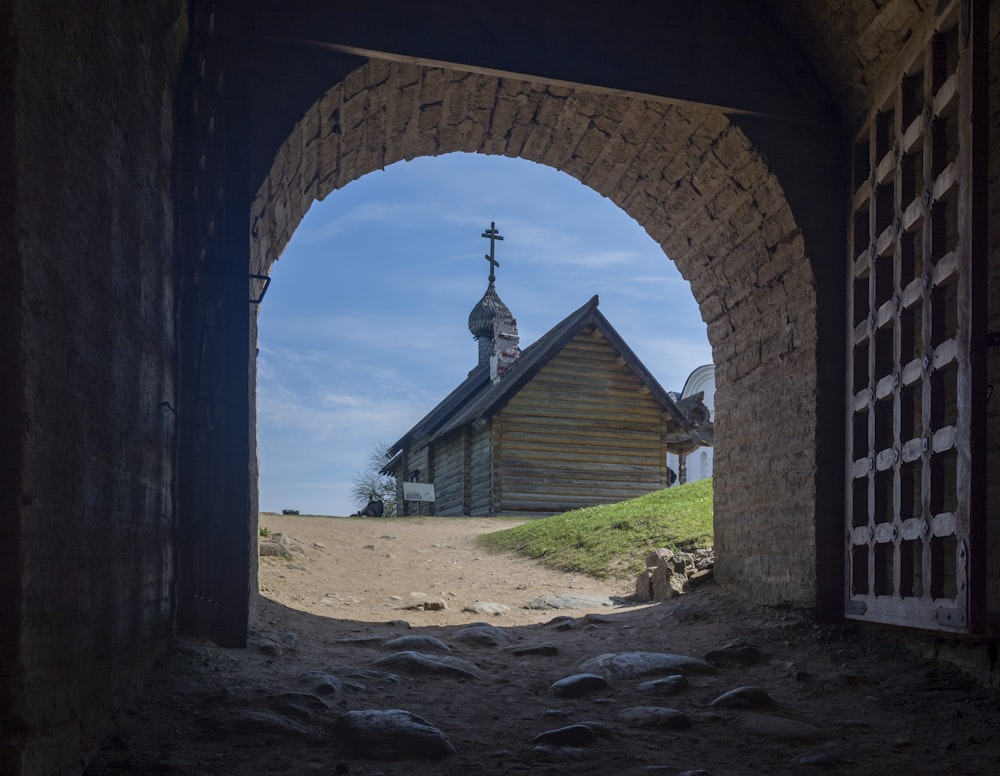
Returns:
point(612, 540)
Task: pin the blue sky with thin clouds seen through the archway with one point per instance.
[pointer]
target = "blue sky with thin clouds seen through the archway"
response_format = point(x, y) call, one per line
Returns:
point(365, 325)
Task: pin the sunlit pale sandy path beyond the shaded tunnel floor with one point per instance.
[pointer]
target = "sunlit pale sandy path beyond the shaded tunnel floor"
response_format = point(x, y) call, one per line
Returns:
point(366, 569)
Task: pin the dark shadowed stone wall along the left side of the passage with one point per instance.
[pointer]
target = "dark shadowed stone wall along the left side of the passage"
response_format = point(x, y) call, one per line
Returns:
point(88, 279)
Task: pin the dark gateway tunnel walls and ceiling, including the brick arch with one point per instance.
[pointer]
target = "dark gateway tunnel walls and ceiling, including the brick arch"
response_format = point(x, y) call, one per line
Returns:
point(183, 143)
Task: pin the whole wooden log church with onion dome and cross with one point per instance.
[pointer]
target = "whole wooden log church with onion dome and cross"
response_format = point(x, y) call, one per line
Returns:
point(571, 421)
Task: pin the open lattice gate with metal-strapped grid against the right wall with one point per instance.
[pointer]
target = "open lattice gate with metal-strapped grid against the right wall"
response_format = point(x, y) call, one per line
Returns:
point(915, 497)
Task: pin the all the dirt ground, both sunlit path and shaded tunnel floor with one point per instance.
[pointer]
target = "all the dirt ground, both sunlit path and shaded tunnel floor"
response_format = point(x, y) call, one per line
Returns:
point(842, 698)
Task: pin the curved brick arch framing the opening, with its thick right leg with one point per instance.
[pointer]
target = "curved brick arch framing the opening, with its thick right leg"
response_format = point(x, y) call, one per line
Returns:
point(696, 184)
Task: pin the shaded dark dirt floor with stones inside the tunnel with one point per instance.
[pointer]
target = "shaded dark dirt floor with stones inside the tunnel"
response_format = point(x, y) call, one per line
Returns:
point(826, 698)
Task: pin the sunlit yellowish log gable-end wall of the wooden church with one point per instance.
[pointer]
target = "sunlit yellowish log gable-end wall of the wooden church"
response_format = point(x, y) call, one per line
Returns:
point(582, 432)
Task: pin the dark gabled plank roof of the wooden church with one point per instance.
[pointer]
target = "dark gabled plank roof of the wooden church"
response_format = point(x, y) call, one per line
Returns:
point(479, 398)
